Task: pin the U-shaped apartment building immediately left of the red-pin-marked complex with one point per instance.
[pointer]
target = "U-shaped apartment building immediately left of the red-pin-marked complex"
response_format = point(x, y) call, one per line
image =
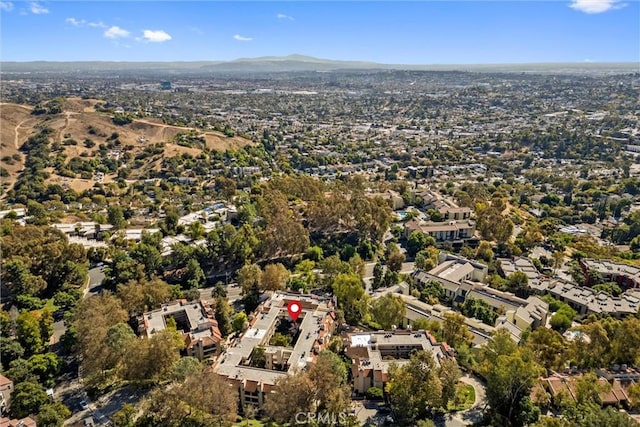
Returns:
point(195, 320)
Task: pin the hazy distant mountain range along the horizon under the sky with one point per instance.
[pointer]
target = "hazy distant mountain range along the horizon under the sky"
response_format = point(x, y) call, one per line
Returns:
point(296, 63)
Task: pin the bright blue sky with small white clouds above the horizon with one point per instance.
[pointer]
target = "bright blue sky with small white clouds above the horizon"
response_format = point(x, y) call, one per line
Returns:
point(417, 32)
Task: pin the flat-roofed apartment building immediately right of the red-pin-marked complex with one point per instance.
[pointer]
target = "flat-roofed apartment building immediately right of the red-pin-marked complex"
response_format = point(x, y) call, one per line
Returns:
point(372, 353)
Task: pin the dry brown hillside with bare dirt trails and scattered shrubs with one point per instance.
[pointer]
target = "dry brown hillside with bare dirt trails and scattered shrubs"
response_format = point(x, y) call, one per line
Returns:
point(80, 121)
